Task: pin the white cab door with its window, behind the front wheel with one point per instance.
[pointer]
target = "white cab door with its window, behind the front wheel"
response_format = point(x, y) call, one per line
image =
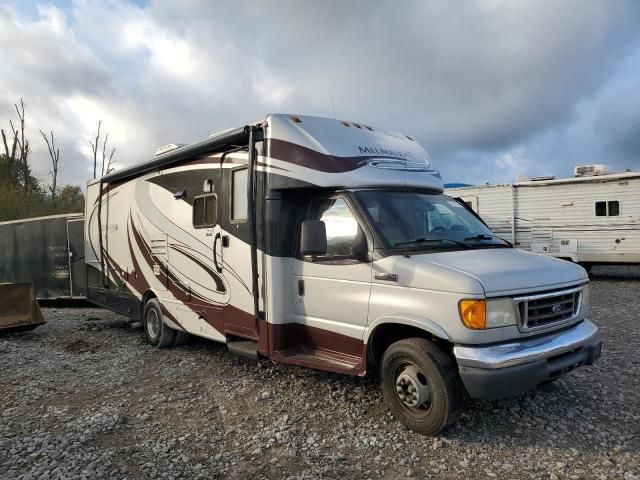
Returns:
point(332, 292)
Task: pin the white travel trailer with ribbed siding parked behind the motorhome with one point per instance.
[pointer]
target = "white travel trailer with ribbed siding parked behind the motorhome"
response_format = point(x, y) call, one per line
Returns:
point(593, 218)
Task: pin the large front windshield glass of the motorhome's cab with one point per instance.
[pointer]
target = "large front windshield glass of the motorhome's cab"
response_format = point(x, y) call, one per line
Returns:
point(421, 220)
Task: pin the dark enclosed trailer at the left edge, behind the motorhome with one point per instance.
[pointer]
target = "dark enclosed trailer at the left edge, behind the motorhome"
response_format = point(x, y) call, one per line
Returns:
point(47, 252)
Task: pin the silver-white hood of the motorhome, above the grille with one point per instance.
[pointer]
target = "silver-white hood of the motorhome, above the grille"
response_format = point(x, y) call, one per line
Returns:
point(503, 270)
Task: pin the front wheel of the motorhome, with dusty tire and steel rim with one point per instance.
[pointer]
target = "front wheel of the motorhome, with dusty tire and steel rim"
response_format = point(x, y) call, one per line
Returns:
point(421, 386)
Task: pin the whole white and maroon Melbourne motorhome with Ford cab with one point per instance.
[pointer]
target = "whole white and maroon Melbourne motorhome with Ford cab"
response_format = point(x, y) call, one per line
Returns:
point(329, 244)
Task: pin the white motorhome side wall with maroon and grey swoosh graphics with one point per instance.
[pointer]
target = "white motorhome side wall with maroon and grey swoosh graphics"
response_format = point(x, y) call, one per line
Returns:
point(150, 245)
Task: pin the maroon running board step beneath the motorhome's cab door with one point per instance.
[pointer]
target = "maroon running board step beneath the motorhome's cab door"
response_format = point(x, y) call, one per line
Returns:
point(321, 360)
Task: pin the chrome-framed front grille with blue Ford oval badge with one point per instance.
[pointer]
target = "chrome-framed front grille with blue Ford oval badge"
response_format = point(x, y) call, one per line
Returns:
point(546, 309)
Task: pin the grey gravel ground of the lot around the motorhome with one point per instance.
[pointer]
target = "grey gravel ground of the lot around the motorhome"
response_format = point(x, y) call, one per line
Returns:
point(84, 397)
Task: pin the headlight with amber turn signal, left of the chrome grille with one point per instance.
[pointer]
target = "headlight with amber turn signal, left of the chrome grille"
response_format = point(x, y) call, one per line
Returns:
point(482, 314)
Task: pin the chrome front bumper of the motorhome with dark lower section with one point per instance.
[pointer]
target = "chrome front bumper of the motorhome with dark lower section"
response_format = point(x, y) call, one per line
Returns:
point(507, 369)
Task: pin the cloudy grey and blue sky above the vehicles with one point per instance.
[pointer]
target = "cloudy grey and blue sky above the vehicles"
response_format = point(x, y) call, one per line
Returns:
point(491, 88)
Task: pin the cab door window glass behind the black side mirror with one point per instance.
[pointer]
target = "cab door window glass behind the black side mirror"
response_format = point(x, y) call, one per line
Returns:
point(341, 226)
